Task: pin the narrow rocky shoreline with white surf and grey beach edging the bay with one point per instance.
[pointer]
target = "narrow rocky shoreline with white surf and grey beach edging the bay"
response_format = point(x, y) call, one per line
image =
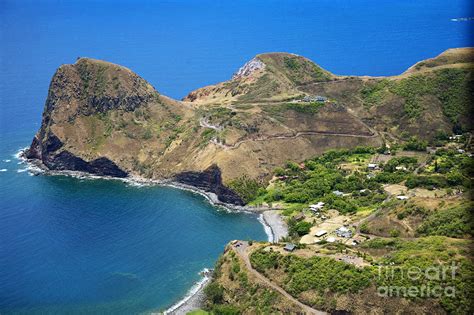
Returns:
point(274, 226)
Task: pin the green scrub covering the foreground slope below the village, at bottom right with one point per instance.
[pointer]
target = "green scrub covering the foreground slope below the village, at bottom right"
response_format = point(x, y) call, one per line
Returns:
point(428, 256)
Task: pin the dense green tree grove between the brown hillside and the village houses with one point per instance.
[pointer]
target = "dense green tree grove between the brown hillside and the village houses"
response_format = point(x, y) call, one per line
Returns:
point(318, 178)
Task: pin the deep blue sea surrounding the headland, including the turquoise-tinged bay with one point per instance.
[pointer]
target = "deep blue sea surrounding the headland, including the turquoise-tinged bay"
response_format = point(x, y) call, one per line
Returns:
point(96, 246)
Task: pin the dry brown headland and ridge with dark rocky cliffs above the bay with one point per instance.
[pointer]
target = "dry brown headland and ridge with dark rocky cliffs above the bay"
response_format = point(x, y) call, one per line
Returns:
point(104, 119)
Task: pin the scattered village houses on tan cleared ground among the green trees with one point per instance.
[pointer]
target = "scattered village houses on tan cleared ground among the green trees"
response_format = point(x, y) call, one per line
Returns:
point(329, 226)
